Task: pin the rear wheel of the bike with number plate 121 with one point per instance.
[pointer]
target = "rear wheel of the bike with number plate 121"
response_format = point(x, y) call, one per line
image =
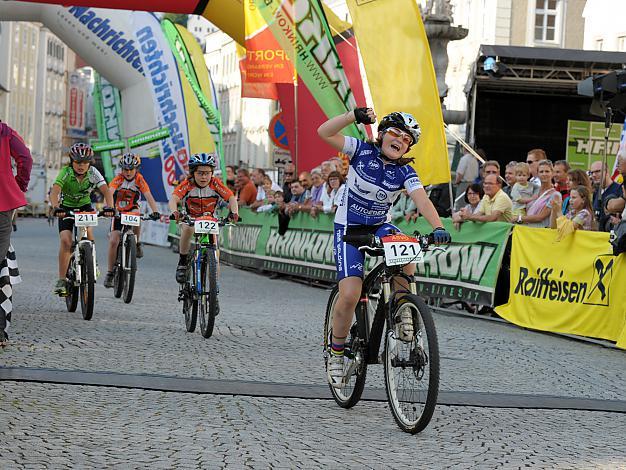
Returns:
point(350, 394)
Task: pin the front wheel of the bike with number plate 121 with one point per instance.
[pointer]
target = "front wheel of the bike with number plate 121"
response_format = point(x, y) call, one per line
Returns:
point(412, 368)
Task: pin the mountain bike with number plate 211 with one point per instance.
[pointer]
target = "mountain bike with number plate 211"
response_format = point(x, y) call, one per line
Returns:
point(82, 269)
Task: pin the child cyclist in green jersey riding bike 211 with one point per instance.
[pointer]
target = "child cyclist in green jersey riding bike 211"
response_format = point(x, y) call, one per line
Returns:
point(71, 191)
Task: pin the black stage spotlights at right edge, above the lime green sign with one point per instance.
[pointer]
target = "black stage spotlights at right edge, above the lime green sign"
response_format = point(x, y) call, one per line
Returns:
point(607, 90)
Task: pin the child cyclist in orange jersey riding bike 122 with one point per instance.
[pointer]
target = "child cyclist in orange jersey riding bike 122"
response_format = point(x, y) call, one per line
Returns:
point(199, 194)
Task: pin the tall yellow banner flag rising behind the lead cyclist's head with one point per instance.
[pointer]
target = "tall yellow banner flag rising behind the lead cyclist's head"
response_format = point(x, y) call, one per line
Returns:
point(401, 76)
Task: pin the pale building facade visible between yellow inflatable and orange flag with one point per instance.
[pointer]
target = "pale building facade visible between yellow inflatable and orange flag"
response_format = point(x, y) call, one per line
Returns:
point(244, 120)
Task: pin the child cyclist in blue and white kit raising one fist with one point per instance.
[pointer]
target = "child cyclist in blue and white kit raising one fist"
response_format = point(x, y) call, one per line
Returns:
point(378, 172)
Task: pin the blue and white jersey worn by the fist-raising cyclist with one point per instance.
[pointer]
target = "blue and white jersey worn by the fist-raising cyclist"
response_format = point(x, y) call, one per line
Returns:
point(372, 185)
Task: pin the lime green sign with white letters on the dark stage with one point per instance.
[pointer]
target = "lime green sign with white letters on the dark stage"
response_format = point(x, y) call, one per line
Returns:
point(585, 143)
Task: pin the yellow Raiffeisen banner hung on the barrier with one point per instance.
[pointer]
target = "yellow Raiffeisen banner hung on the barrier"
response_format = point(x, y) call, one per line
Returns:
point(573, 286)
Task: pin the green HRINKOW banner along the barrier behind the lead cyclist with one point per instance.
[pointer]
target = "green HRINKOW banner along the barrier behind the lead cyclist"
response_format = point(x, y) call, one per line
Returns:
point(466, 270)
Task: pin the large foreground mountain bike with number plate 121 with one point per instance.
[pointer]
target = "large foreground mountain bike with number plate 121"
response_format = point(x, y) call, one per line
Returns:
point(411, 366)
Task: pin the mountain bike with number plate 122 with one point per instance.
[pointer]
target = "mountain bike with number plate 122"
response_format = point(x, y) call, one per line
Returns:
point(200, 291)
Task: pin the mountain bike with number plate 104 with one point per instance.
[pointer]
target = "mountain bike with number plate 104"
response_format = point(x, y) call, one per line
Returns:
point(126, 259)
